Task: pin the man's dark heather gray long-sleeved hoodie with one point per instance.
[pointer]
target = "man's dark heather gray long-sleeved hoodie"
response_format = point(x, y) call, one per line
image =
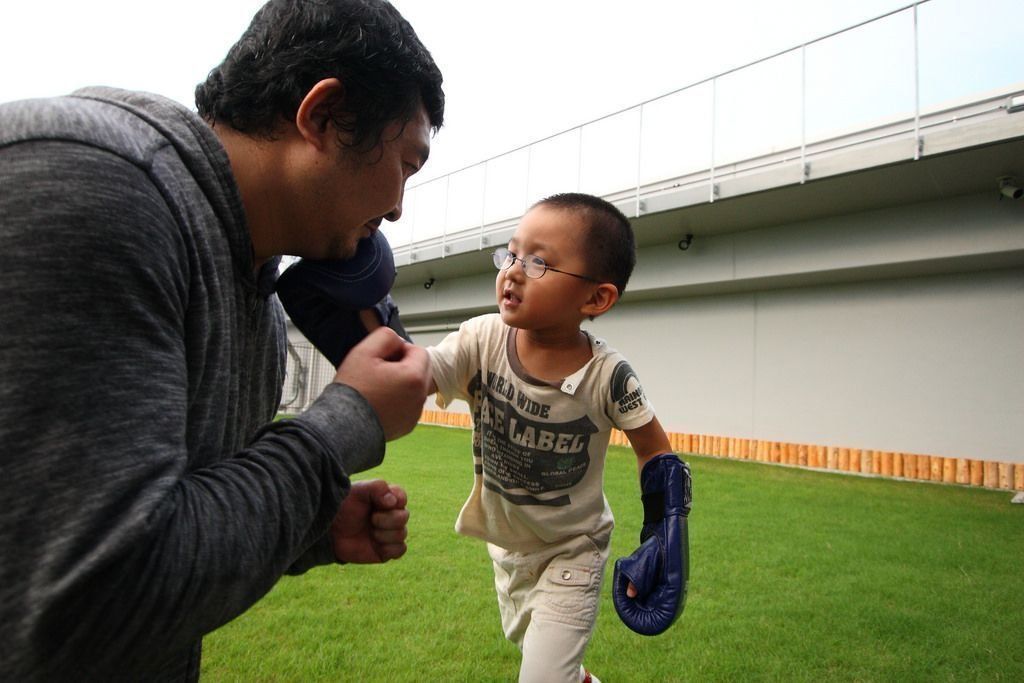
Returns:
point(145, 499)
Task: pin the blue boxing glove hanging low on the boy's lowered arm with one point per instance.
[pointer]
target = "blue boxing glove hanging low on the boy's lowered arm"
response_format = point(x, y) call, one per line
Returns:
point(660, 568)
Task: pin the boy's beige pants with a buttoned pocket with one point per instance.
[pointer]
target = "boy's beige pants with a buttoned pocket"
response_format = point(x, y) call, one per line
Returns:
point(548, 602)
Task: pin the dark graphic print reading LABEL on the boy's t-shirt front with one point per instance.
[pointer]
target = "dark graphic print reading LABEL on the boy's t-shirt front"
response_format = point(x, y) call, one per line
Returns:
point(522, 449)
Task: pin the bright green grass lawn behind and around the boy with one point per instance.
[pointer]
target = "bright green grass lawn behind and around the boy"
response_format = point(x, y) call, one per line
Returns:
point(796, 576)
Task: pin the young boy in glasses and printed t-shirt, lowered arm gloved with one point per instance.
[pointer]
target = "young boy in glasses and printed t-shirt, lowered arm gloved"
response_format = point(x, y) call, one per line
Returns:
point(545, 396)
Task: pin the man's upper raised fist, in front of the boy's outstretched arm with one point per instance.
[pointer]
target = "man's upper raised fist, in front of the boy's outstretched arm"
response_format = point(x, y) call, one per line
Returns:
point(393, 375)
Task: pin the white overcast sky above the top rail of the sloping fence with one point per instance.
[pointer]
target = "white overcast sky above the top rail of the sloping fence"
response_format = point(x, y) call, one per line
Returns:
point(515, 72)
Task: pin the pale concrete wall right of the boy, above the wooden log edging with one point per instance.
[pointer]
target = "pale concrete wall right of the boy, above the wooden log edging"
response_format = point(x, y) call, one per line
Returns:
point(929, 365)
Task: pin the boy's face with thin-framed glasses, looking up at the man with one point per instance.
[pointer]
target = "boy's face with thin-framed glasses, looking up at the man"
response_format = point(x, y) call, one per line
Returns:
point(552, 303)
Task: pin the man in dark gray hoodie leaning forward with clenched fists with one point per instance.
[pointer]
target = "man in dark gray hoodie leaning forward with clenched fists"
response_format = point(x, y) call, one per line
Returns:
point(148, 496)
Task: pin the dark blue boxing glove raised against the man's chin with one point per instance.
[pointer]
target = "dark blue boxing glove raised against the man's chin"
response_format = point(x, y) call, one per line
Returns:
point(324, 297)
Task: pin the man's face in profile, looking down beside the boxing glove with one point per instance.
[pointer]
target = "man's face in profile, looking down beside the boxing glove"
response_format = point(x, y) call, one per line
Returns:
point(352, 193)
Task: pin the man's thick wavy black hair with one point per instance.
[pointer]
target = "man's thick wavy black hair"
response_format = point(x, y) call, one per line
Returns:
point(291, 46)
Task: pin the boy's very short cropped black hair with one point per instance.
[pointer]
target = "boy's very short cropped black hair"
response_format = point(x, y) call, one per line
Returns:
point(611, 247)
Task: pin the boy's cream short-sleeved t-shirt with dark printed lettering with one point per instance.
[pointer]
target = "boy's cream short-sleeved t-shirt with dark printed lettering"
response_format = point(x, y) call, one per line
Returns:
point(539, 448)
